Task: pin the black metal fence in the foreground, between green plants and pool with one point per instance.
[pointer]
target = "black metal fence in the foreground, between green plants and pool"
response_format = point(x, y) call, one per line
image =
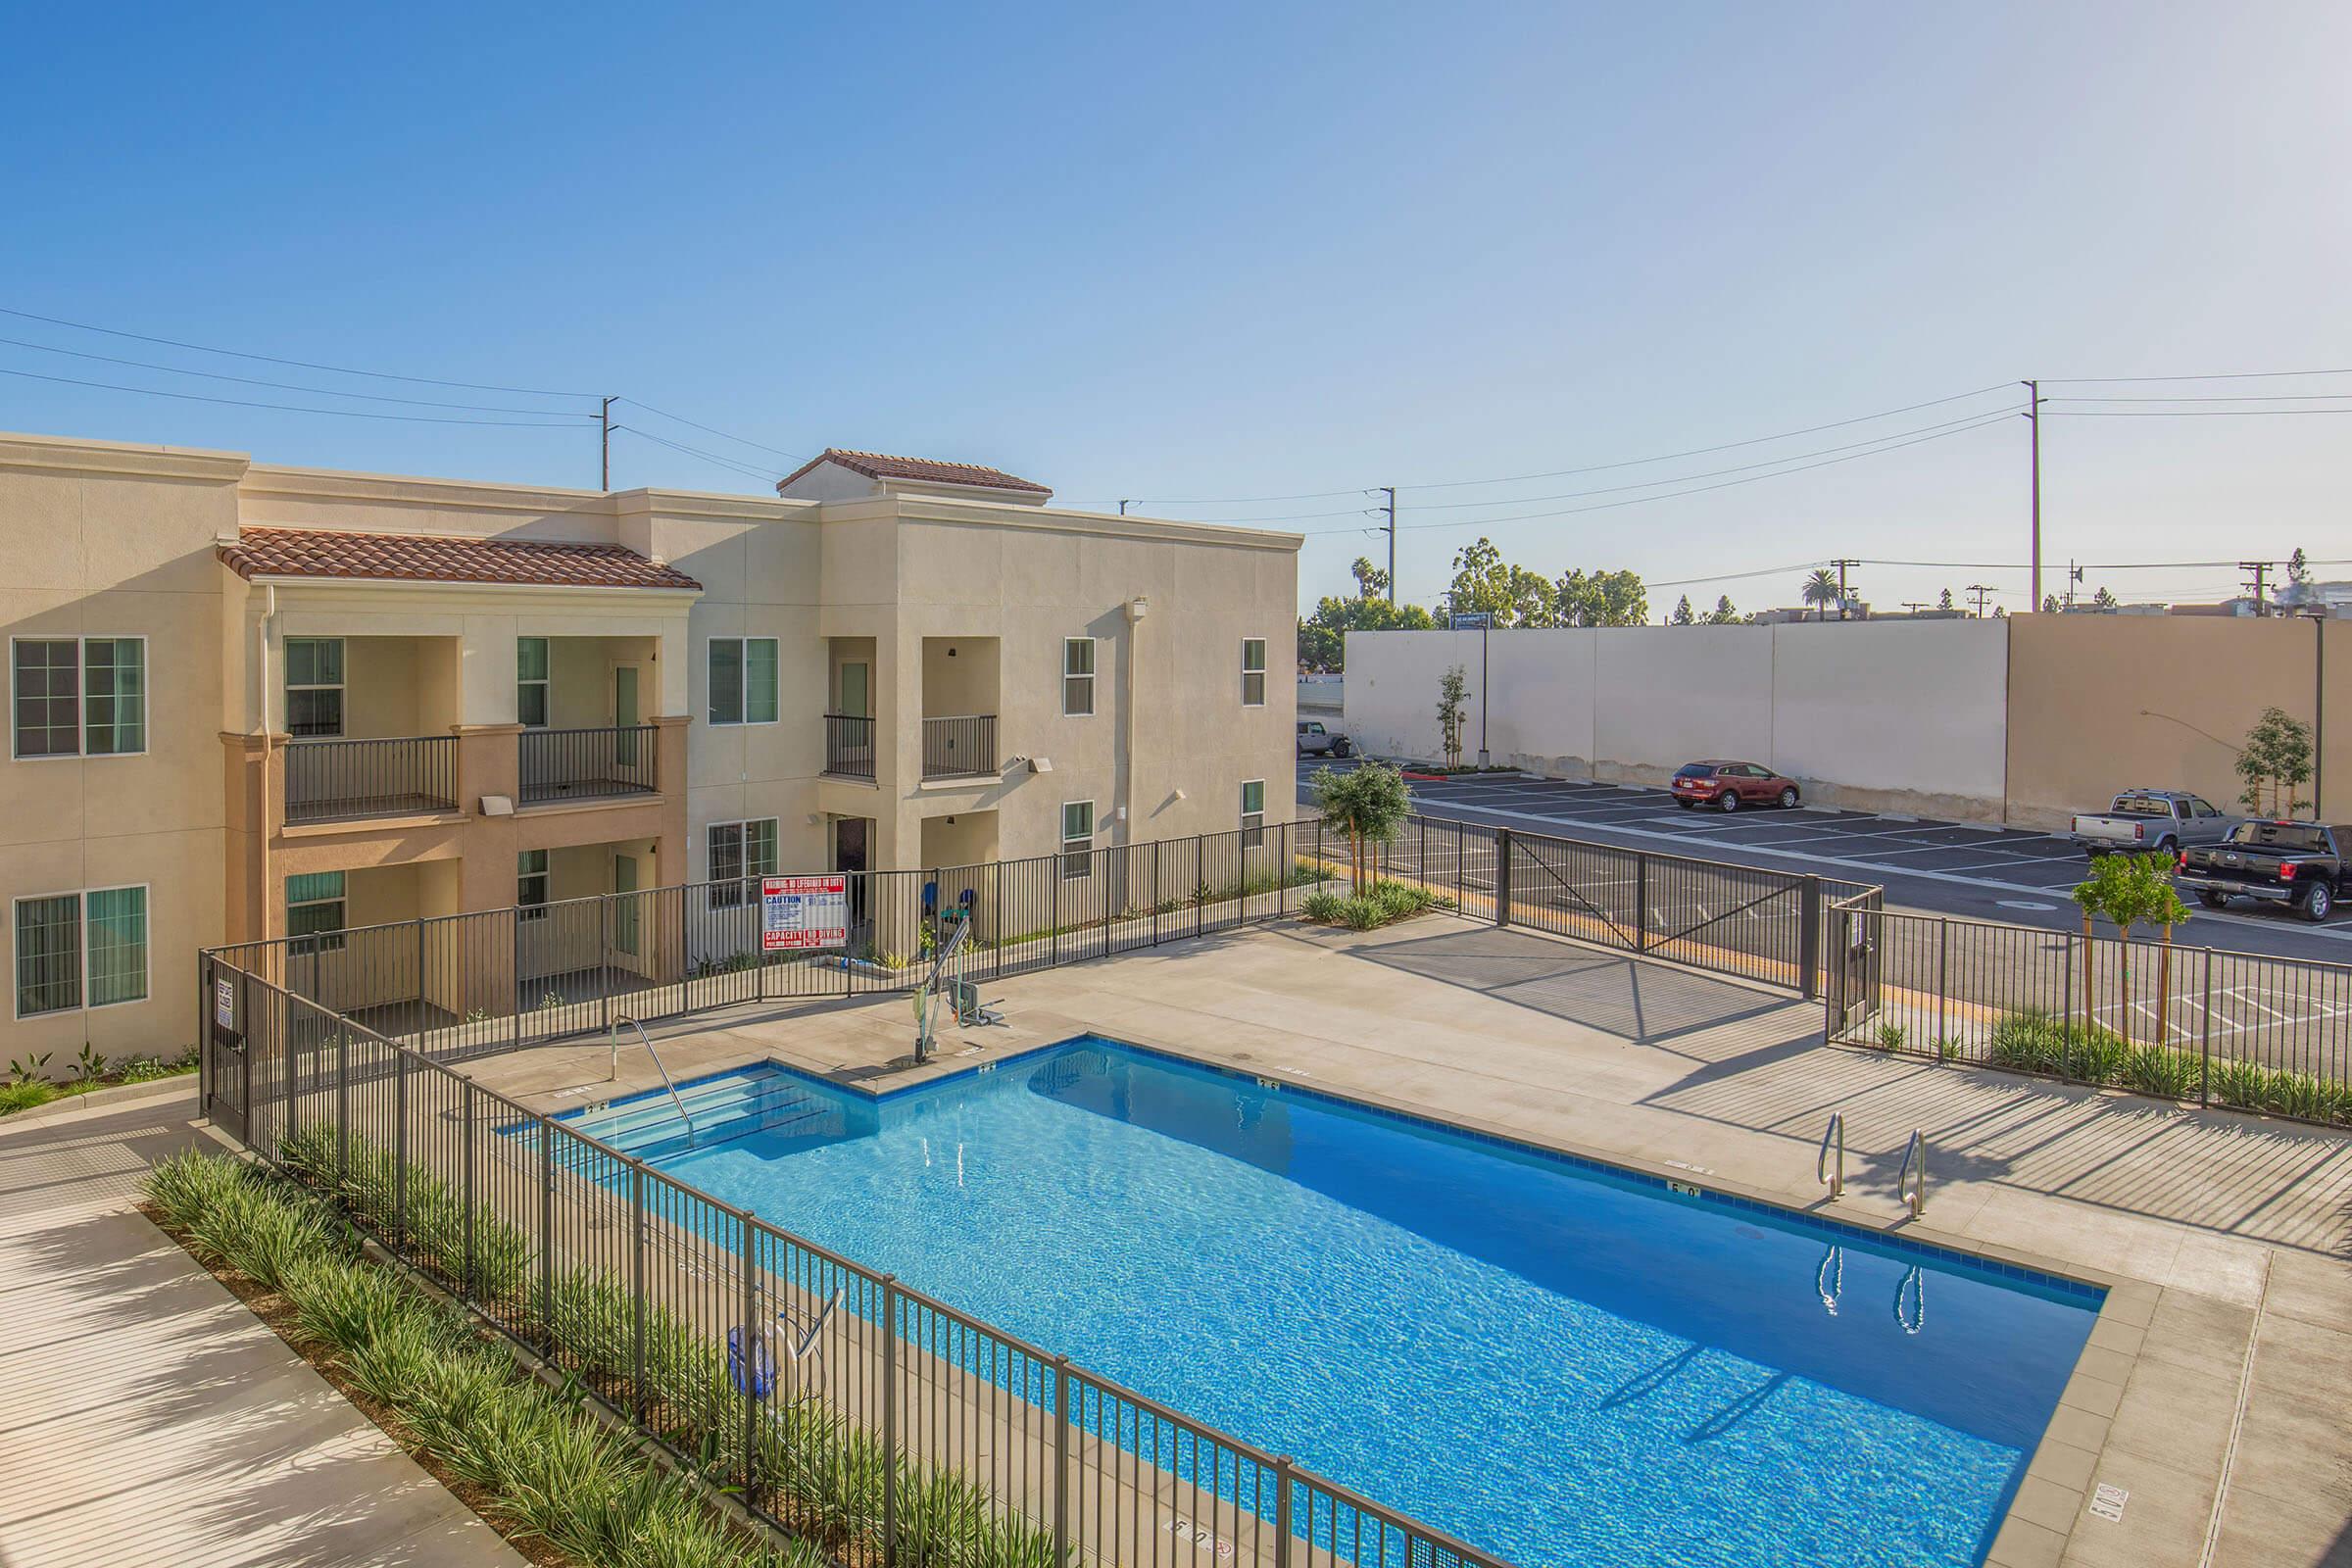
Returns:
point(829, 1400)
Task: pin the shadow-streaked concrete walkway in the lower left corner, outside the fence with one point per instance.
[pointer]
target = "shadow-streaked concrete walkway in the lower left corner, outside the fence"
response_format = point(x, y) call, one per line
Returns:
point(147, 1414)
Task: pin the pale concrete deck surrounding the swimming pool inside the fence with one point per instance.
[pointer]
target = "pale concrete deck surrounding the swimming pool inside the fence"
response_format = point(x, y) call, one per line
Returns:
point(2212, 1395)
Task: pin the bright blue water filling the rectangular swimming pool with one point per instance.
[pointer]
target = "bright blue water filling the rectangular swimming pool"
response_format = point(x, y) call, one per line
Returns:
point(1553, 1360)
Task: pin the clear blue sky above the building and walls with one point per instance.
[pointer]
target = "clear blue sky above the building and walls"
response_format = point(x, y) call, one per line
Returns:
point(1245, 253)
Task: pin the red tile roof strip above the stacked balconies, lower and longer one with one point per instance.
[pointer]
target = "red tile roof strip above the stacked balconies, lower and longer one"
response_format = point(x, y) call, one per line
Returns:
point(439, 558)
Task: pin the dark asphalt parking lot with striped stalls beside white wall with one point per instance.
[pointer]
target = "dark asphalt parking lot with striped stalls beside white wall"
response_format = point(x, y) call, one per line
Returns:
point(1944, 869)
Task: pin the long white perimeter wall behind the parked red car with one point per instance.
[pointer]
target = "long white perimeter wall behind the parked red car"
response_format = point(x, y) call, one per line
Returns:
point(1906, 716)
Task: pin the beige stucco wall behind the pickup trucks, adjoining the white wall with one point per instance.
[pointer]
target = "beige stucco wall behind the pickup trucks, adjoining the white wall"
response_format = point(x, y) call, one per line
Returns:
point(2102, 704)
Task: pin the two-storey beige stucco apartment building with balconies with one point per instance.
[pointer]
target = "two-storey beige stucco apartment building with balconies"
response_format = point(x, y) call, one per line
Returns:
point(279, 702)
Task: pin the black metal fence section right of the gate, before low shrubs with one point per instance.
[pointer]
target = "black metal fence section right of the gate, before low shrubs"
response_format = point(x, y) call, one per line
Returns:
point(2181, 1024)
